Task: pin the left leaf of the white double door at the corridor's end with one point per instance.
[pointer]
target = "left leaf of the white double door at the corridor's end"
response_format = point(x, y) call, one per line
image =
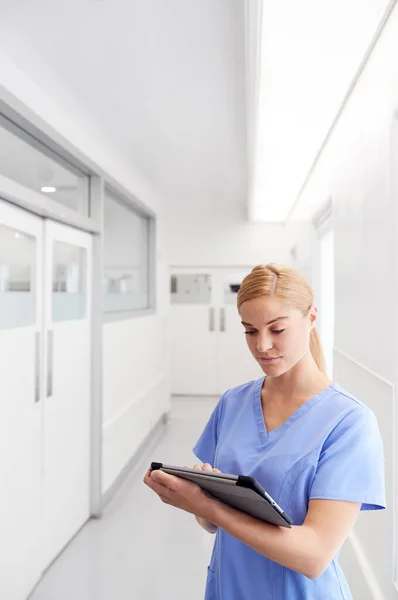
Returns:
point(193, 335)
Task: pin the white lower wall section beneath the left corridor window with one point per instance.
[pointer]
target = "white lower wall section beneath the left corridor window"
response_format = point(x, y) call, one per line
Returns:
point(136, 387)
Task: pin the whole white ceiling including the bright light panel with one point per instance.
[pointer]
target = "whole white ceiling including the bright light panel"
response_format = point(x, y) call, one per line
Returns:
point(164, 82)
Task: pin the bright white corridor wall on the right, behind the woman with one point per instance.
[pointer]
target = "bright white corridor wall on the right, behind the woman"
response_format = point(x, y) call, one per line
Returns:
point(358, 168)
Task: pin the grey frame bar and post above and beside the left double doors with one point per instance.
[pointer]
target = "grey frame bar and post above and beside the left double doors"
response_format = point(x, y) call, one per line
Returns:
point(44, 207)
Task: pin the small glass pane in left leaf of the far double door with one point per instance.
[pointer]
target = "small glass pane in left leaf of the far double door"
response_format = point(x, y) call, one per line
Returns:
point(189, 288)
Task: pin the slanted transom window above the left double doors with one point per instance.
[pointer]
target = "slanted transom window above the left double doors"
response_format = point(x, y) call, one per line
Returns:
point(26, 161)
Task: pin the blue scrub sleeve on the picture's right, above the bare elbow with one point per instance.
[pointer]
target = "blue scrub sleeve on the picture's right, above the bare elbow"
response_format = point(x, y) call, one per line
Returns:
point(351, 464)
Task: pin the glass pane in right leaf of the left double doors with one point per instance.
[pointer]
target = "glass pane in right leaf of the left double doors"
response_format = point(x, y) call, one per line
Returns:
point(69, 297)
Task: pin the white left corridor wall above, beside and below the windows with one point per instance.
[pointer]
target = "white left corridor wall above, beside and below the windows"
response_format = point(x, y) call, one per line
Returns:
point(135, 377)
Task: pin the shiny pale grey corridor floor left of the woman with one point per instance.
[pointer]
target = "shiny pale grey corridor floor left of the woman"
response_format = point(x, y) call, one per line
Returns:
point(141, 549)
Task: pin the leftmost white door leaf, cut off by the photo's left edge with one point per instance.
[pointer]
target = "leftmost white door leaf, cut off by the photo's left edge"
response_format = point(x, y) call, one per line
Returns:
point(21, 385)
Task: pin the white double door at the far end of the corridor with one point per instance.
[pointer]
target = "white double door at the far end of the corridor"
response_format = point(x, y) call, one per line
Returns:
point(209, 353)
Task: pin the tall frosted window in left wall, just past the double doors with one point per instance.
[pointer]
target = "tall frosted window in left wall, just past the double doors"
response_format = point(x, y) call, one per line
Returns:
point(126, 258)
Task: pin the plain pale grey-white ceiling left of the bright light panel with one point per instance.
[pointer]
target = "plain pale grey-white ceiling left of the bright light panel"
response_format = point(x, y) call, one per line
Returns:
point(163, 80)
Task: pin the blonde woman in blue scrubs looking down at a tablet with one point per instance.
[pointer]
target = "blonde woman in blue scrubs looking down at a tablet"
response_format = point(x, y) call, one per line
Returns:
point(314, 447)
